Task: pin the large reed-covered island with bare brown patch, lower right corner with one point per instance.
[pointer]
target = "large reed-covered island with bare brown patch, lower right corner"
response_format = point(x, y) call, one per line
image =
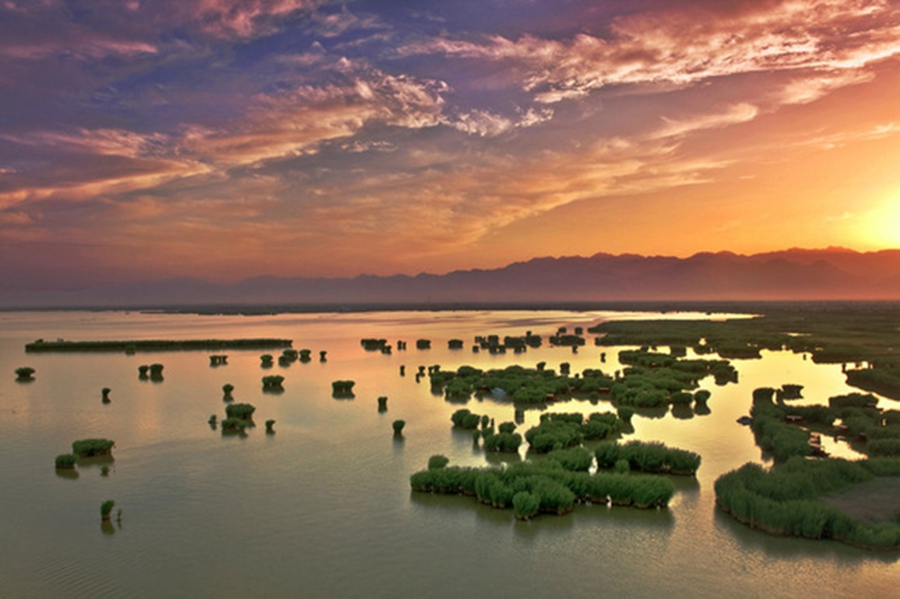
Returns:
point(820, 497)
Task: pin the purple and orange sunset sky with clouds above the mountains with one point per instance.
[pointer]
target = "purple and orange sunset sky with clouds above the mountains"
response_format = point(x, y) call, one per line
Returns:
point(224, 139)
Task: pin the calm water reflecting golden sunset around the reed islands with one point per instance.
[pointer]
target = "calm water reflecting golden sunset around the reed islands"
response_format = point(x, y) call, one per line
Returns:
point(323, 507)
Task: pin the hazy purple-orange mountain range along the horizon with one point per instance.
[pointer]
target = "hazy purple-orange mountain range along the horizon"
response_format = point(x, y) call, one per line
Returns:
point(796, 274)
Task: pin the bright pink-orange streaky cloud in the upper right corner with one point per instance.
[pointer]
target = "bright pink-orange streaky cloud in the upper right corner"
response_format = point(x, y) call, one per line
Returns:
point(683, 48)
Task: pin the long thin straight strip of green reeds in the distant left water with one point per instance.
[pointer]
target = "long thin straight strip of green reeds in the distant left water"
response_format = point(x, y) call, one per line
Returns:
point(62, 345)
